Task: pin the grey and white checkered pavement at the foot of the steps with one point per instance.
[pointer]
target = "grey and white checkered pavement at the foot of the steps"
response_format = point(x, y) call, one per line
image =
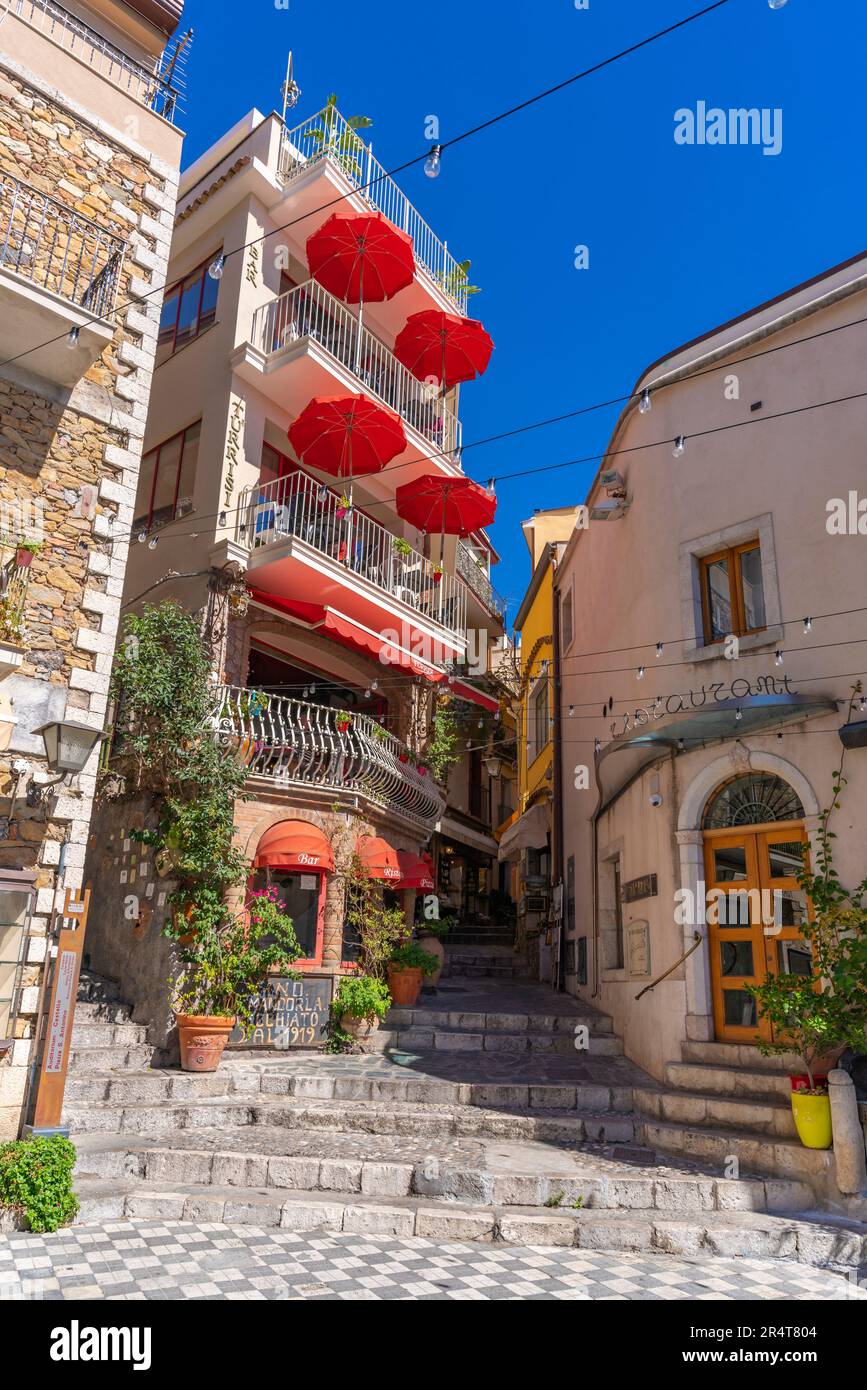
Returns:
point(145, 1260)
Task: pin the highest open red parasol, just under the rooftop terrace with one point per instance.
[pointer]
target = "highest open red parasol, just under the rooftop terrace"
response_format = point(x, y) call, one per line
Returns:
point(362, 256)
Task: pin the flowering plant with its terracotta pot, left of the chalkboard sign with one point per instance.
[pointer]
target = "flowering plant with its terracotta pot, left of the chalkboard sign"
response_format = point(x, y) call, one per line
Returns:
point(223, 972)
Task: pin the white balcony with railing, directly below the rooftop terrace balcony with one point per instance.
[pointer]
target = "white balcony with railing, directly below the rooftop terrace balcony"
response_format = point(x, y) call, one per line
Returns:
point(308, 344)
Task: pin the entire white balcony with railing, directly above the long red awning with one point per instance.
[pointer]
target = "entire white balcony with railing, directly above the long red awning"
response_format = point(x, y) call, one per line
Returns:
point(302, 548)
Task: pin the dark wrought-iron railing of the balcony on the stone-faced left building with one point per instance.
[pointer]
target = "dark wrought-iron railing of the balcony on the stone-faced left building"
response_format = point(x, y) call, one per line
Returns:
point(59, 250)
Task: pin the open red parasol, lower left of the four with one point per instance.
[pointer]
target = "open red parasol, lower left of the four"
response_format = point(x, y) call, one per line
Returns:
point(347, 436)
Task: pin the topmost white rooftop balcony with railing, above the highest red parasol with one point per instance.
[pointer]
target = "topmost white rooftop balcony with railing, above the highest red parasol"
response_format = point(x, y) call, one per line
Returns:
point(327, 144)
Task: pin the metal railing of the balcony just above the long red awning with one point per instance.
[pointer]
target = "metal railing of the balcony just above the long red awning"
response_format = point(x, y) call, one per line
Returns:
point(299, 507)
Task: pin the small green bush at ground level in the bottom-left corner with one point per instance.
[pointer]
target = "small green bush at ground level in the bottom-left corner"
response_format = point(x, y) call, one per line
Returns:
point(37, 1181)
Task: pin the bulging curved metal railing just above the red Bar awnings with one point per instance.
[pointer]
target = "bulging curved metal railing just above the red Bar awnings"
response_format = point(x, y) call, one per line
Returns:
point(297, 744)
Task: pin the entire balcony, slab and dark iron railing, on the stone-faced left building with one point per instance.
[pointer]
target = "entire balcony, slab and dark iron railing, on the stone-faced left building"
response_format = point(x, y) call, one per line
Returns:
point(59, 276)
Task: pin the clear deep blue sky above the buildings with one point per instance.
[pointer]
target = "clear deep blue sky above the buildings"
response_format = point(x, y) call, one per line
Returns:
point(680, 238)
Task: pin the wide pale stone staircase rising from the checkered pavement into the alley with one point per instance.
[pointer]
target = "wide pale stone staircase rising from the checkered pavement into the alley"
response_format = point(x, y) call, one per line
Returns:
point(476, 1120)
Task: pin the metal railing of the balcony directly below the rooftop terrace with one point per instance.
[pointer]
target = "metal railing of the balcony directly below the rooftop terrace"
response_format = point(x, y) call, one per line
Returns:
point(311, 312)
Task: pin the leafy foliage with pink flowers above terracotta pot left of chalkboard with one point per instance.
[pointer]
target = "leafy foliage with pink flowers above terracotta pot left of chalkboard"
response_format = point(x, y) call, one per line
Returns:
point(227, 963)
